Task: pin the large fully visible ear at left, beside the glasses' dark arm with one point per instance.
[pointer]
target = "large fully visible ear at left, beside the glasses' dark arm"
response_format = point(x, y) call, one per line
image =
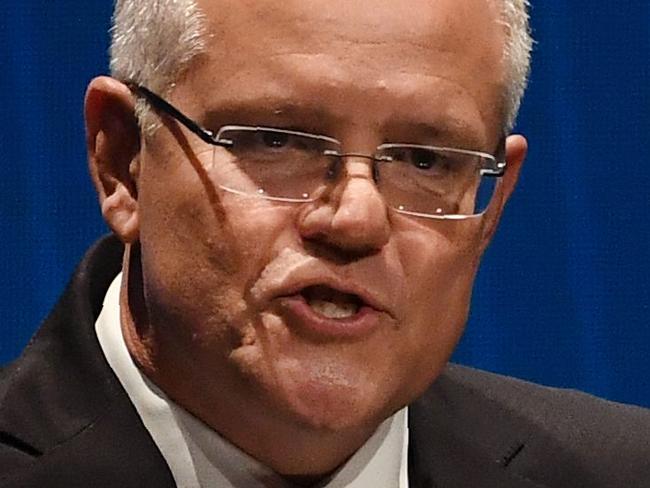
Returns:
point(113, 144)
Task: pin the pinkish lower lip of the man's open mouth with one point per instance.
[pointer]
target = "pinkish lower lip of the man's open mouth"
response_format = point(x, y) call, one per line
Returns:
point(300, 314)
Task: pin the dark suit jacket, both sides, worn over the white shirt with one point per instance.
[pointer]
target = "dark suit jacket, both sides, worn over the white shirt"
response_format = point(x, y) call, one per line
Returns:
point(65, 420)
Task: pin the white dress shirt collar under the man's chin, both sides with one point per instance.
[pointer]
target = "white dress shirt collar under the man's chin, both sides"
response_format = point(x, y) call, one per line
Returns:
point(198, 457)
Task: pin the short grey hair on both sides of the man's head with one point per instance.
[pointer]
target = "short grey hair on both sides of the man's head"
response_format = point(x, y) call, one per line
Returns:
point(155, 41)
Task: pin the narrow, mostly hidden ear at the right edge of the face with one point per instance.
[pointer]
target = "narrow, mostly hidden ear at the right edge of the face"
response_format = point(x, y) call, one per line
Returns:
point(516, 148)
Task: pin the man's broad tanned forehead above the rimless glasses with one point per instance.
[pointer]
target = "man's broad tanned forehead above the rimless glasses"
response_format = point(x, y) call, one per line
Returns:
point(359, 56)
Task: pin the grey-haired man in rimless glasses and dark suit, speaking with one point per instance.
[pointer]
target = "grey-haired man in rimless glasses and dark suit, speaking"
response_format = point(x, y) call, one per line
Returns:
point(303, 192)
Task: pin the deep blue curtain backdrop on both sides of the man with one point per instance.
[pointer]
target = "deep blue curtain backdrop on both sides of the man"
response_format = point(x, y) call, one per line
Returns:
point(563, 295)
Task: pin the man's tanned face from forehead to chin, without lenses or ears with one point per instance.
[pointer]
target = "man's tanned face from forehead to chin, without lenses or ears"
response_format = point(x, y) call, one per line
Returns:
point(231, 282)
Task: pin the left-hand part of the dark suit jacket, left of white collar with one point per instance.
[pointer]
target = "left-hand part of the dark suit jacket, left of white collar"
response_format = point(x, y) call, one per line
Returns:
point(64, 418)
